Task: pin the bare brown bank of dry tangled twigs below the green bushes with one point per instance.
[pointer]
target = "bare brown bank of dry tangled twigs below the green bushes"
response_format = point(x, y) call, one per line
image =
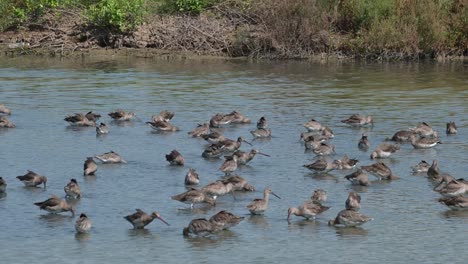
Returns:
point(163, 37)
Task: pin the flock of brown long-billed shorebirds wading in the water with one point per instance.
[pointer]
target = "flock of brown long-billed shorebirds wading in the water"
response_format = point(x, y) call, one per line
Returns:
point(316, 139)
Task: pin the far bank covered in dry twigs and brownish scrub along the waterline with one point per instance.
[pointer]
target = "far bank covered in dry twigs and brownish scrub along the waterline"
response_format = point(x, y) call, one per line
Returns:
point(285, 31)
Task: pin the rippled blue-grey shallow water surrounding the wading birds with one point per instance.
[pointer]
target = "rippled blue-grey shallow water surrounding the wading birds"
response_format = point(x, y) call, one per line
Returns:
point(409, 224)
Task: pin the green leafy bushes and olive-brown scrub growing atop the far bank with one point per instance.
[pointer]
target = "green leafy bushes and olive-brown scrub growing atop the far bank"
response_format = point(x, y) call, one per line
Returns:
point(288, 28)
